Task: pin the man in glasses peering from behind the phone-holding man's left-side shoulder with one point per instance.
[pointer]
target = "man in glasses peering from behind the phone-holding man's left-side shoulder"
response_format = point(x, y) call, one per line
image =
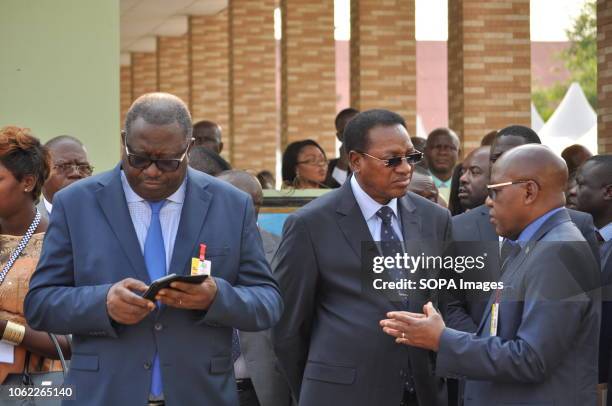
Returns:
point(69, 163)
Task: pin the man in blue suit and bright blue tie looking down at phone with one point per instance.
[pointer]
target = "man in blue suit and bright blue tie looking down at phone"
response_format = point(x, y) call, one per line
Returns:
point(112, 234)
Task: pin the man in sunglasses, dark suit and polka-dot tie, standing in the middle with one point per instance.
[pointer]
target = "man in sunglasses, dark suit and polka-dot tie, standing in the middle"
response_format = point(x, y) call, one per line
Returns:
point(328, 341)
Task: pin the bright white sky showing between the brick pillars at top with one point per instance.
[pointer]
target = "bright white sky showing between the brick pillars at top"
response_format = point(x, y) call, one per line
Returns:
point(549, 19)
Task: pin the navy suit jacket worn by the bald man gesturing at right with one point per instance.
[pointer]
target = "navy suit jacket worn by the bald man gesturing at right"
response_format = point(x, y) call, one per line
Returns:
point(545, 350)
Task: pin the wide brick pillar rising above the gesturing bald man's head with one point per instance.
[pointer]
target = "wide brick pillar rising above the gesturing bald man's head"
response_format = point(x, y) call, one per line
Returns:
point(489, 67)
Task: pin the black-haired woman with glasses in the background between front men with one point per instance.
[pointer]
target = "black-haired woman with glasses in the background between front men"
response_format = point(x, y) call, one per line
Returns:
point(304, 165)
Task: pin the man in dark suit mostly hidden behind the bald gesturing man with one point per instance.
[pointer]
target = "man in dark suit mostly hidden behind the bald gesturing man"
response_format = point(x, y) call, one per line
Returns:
point(467, 308)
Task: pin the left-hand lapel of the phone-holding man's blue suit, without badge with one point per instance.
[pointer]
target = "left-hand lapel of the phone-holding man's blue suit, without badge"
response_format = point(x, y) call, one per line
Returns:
point(114, 206)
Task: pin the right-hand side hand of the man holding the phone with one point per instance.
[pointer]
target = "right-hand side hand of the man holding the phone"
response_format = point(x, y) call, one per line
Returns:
point(189, 295)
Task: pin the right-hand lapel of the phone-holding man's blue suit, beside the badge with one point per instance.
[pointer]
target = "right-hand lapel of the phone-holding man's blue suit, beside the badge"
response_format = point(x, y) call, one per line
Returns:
point(195, 208)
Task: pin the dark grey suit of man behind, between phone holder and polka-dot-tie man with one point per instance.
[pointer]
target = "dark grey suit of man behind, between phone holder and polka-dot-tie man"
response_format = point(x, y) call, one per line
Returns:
point(270, 385)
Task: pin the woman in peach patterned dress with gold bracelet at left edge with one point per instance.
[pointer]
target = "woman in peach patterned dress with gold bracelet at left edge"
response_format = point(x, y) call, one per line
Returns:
point(24, 167)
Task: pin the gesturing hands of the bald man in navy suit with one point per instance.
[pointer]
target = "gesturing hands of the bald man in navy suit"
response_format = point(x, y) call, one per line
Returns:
point(417, 330)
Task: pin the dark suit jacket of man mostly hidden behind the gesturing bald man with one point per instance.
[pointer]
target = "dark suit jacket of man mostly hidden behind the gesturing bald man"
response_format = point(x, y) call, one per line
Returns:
point(465, 309)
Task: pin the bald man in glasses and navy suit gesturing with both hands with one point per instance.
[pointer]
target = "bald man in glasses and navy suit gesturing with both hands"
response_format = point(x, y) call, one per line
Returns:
point(537, 342)
